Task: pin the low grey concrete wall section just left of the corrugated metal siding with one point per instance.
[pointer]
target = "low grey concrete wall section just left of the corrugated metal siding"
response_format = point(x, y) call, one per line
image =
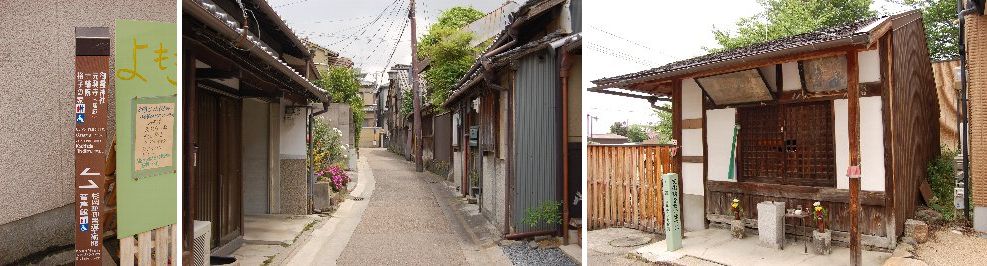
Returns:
point(493, 205)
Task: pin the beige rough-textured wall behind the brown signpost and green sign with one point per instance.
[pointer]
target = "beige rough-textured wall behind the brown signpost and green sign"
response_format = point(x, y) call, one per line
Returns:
point(37, 57)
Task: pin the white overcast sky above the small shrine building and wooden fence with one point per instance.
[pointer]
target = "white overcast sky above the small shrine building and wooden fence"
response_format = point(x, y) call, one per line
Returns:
point(641, 34)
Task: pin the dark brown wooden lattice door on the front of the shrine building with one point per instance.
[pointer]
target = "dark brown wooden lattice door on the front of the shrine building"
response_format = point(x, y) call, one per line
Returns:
point(787, 144)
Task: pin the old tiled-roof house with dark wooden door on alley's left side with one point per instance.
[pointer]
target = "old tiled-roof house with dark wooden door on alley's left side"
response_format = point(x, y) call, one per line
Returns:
point(246, 97)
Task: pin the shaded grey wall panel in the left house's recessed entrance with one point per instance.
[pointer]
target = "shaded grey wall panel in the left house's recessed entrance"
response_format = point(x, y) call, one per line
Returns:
point(255, 156)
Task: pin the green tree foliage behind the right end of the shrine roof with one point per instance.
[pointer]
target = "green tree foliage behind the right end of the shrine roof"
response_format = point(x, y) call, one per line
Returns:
point(941, 27)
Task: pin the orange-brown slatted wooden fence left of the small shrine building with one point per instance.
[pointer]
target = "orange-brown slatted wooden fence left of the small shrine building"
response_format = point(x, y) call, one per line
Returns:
point(624, 185)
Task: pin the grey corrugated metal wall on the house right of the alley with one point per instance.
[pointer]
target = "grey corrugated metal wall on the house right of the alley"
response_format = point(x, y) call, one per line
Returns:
point(536, 139)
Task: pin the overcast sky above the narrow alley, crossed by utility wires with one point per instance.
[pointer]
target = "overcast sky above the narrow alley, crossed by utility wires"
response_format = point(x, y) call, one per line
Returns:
point(328, 22)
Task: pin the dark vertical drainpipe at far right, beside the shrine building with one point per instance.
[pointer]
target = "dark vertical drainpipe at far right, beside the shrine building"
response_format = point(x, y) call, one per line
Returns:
point(964, 101)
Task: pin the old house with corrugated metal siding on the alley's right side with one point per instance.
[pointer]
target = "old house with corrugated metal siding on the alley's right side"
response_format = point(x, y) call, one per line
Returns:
point(516, 119)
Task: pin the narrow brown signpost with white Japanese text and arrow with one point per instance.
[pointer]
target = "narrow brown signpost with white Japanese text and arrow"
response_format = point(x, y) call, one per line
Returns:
point(92, 70)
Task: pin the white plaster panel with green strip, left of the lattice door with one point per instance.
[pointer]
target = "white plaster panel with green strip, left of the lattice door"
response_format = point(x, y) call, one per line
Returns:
point(720, 124)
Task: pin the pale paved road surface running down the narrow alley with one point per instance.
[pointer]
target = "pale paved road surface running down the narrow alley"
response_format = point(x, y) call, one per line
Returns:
point(404, 222)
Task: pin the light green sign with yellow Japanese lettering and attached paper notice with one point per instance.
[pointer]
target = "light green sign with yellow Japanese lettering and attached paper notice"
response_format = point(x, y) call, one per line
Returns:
point(146, 71)
